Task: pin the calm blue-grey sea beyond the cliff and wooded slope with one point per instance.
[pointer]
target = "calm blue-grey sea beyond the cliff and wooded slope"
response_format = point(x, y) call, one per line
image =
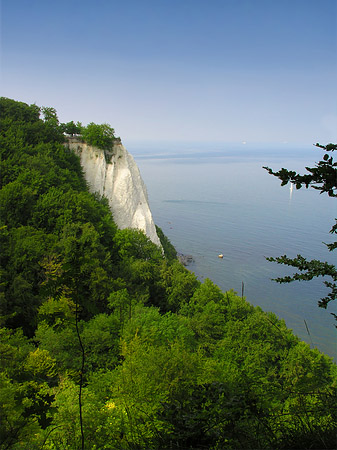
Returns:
point(212, 198)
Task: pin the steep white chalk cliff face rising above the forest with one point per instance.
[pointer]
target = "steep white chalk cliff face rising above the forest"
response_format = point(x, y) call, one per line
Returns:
point(115, 175)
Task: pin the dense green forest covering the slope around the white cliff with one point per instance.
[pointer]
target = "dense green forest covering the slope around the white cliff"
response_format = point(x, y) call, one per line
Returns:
point(109, 343)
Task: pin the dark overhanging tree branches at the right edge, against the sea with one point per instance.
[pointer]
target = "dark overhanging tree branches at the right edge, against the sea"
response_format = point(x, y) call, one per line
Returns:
point(322, 177)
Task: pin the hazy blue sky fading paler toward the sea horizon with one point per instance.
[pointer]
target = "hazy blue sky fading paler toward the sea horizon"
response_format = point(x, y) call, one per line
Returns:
point(194, 70)
